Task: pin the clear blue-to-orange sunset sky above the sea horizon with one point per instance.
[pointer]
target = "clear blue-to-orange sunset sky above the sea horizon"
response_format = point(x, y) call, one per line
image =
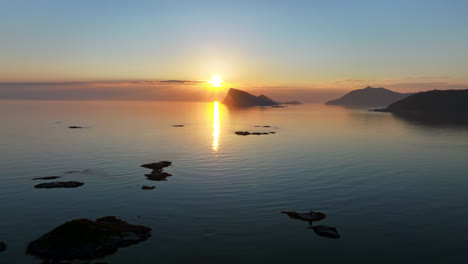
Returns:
point(124, 49)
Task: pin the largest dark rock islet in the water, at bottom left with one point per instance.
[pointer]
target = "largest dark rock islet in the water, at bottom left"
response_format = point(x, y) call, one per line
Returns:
point(84, 239)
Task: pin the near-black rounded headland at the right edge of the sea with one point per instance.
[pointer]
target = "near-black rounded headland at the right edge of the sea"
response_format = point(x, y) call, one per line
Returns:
point(447, 106)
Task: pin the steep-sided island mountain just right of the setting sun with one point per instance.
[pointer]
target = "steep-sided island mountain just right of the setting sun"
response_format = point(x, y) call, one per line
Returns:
point(239, 98)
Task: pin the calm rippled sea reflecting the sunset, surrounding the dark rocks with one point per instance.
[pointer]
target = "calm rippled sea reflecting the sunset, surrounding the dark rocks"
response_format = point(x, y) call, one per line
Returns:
point(396, 191)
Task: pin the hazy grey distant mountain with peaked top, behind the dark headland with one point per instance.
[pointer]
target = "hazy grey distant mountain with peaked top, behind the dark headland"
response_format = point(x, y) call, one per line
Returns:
point(368, 96)
